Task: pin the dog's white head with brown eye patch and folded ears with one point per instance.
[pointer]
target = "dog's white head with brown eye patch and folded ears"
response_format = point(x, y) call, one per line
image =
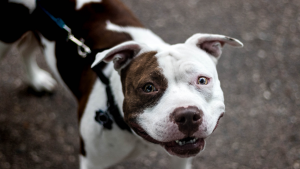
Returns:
point(172, 97)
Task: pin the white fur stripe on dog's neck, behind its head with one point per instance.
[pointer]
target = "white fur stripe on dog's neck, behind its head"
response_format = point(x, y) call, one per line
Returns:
point(140, 35)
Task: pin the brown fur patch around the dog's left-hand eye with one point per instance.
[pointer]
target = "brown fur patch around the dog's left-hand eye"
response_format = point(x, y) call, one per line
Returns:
point(142, 70)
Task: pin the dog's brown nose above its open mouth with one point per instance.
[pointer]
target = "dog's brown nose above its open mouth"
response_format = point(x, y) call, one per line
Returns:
point(188, 119)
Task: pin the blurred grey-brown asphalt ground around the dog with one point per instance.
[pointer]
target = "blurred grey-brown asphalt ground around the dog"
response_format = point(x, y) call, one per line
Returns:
point(260, 129)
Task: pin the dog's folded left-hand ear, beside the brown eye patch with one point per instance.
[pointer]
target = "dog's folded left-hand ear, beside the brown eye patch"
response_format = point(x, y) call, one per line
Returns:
point(121, 54)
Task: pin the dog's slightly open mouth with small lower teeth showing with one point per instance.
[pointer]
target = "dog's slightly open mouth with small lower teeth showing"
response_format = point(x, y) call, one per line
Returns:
point(187, 147)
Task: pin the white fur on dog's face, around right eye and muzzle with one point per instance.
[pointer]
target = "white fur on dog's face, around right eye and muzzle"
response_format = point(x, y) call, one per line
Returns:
point(182, 65)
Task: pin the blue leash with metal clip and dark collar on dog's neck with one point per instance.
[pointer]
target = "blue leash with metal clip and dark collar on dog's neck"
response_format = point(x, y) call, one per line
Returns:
point(112, 113)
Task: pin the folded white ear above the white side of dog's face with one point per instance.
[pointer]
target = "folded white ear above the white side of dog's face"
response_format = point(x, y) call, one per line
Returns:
point(212, 43)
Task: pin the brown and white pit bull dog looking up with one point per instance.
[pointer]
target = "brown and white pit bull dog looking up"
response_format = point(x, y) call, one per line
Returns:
point(148, 94)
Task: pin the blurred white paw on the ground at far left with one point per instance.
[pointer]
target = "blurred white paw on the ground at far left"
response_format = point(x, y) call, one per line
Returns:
point(41, 81)
